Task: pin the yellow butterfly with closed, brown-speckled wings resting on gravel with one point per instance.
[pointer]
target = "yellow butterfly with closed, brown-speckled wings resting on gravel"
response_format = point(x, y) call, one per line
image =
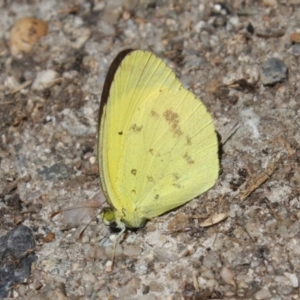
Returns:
point(157, 143)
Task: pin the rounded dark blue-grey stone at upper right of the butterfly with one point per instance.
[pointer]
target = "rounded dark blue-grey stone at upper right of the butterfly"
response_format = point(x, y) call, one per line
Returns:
point(273, 70)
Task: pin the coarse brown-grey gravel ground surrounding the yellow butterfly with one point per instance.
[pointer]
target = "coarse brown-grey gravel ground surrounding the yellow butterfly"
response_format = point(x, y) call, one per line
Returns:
point(242, 59)
